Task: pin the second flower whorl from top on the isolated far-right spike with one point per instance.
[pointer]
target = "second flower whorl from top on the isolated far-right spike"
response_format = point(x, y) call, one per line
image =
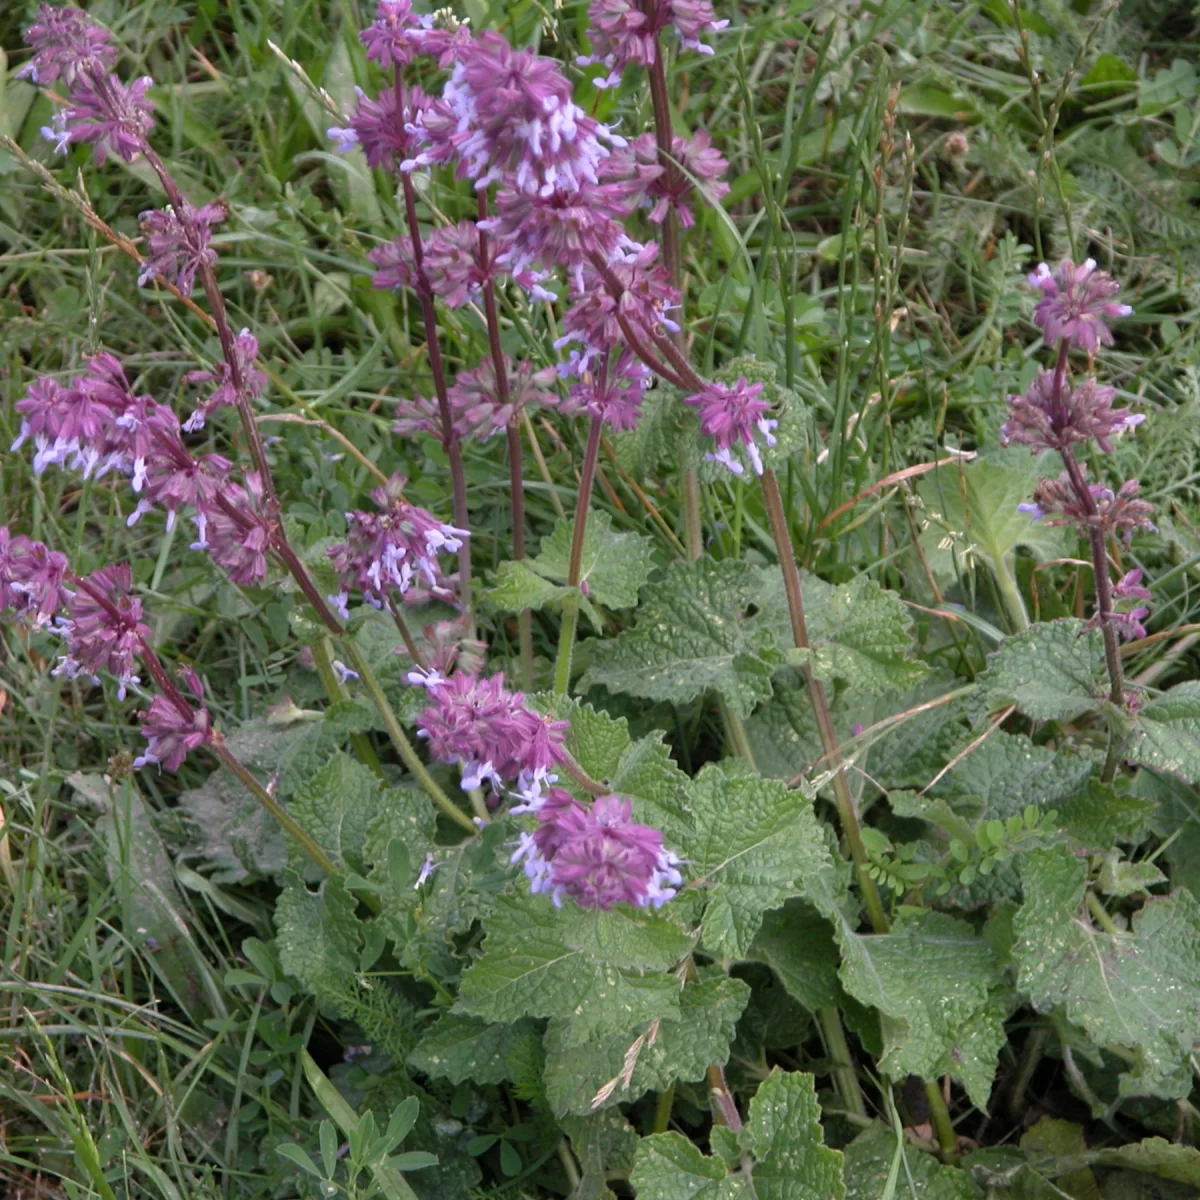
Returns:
point(1053, 415)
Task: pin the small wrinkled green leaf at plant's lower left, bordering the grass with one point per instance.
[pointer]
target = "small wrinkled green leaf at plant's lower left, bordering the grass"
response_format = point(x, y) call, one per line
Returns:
point(319, 934)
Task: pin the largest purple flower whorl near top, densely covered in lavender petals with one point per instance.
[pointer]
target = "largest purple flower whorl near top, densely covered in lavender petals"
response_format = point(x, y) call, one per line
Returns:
point(509, 113)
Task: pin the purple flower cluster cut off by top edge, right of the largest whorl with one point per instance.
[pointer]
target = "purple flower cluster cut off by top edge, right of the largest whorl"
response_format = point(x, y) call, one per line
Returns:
point(627, 32)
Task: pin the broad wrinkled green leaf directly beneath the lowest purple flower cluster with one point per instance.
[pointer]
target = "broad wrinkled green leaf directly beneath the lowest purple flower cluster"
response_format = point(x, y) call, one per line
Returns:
point(607, 969)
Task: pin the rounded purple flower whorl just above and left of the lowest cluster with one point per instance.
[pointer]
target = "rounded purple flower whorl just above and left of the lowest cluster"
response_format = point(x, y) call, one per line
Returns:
point(491, 731)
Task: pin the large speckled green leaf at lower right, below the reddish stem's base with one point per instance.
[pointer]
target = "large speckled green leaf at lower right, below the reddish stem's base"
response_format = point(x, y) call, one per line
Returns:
point(941, 997)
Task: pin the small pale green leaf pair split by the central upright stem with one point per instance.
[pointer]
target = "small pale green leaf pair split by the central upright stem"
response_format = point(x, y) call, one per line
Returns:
point(613, 571)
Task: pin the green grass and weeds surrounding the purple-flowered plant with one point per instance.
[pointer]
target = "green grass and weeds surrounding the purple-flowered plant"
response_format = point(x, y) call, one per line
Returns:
point(140, 1055)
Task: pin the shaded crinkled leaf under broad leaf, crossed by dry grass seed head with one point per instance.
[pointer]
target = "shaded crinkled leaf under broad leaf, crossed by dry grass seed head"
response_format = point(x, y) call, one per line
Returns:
point(681, 1048)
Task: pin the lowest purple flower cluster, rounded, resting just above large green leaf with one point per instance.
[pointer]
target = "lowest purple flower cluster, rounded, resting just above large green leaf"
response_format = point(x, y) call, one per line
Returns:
point(598, 855)
